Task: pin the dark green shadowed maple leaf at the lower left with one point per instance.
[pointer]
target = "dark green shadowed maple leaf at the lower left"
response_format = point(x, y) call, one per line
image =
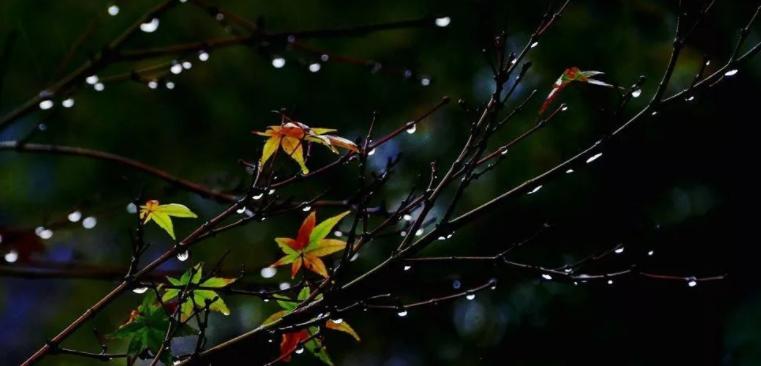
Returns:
point(146, 328)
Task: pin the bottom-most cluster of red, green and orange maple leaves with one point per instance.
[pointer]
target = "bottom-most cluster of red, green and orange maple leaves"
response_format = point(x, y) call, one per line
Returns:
point(308, 337)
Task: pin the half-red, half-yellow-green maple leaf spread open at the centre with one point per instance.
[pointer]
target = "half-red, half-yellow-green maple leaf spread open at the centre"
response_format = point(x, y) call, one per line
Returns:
point(310, 244)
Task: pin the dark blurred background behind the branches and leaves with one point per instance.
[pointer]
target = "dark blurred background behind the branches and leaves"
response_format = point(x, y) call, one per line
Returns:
point(680, 184)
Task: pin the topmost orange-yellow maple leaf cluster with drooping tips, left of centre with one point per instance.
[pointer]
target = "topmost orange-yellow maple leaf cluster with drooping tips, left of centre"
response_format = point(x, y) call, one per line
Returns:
point(291, 136)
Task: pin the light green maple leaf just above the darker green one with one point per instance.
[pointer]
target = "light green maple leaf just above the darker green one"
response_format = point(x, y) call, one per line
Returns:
point(199, 292)
